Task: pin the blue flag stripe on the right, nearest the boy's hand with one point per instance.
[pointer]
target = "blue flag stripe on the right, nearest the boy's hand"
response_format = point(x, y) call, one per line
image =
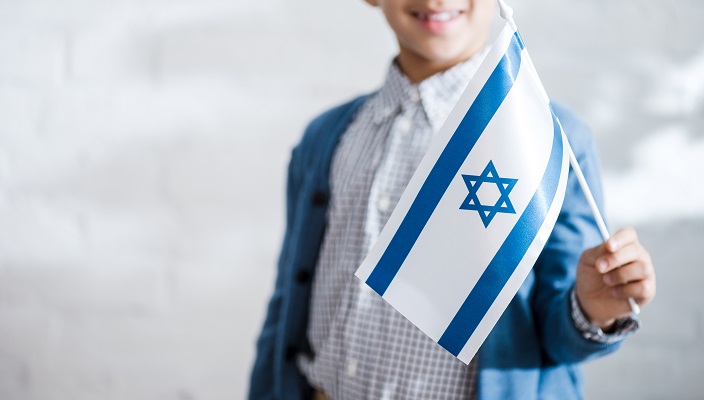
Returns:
point(509, 255)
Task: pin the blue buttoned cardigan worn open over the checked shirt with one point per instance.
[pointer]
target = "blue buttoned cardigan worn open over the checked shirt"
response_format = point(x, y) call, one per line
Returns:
point(534, 350)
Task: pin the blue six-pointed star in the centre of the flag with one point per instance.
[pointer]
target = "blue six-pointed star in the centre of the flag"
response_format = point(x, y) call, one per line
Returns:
point(489, 176)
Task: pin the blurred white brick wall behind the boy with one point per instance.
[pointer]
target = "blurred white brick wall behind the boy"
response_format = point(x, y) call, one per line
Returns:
point(143, 147)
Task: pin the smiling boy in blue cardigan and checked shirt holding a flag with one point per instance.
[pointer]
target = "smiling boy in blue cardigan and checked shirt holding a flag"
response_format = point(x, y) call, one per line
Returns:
point(327, 336)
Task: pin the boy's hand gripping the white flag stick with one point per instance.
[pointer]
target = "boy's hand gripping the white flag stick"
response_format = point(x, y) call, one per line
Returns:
point(612, 272)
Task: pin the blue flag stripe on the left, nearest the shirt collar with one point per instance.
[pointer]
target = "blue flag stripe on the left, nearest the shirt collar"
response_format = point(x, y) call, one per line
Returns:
point(448, 164)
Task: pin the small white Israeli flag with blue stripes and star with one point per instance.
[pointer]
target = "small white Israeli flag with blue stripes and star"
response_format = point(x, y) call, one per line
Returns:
point(480, 207)
